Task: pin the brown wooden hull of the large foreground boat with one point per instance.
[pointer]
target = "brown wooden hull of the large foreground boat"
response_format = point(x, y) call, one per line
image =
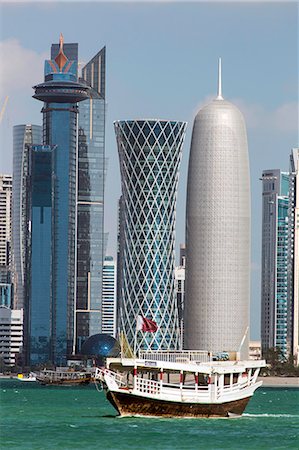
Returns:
point(128, 404)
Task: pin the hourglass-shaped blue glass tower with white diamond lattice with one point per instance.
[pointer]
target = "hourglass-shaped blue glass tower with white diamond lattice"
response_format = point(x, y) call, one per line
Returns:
point(150, 154)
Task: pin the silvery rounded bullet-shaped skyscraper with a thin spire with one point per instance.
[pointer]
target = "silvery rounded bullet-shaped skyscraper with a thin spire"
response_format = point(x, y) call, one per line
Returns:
point(216, 316)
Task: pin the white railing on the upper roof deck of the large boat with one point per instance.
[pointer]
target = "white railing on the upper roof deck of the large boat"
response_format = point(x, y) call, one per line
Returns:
point(180, 356)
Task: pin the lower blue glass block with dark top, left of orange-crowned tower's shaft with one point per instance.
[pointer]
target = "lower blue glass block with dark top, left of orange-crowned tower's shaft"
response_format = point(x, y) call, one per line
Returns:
point(40, 213)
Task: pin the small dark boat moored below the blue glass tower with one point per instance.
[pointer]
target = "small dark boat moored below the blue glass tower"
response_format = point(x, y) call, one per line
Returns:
point(64, 377)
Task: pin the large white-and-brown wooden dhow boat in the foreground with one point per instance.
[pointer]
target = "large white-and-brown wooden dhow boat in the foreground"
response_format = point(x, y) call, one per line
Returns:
point(179, 384)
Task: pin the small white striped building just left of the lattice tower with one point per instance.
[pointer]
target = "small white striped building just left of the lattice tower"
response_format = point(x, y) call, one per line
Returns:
point(109, 297)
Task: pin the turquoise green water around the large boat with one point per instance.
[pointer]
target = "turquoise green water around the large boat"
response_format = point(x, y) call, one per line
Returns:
point(39, 418)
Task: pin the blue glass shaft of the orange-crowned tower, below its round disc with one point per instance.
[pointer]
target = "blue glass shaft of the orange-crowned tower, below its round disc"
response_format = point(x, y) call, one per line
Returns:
point(63, 133)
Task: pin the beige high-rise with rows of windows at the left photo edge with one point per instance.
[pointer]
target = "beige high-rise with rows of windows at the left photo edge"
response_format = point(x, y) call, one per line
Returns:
point(5, 219)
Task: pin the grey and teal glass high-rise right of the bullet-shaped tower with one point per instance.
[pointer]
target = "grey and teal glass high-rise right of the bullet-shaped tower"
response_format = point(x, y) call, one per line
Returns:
point(274, 282)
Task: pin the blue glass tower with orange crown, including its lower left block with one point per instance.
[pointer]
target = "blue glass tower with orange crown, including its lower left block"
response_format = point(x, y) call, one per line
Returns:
point(52, 213)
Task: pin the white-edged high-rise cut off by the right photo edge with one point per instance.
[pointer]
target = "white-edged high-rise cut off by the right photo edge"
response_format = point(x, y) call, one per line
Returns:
point(293, 257)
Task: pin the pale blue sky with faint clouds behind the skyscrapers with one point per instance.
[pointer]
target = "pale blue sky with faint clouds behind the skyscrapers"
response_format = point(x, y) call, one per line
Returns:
point(162, 63)
